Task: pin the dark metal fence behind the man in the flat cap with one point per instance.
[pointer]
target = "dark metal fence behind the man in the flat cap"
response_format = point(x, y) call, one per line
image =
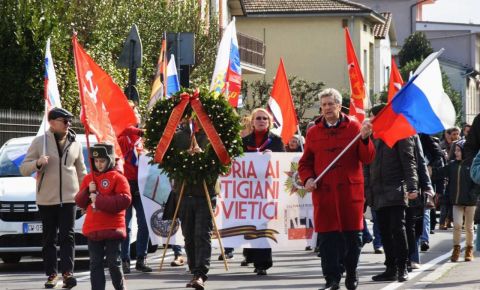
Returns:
point(14, 124)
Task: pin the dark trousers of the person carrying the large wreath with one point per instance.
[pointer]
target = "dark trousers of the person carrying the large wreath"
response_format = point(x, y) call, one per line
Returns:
point(197, 226)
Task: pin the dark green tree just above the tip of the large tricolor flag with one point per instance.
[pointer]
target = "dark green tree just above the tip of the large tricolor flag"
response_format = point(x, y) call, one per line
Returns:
point(416, 47)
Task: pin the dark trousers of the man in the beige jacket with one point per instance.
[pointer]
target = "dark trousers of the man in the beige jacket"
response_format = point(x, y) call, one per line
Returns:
point(58, 222)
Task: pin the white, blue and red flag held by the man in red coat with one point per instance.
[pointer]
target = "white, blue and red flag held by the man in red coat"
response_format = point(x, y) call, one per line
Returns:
point(421, 106)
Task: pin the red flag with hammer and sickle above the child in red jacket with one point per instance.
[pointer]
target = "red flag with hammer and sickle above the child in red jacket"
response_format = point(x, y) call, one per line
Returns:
point(105, 109)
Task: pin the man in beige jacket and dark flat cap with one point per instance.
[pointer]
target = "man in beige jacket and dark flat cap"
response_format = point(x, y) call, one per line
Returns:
point(57, 159)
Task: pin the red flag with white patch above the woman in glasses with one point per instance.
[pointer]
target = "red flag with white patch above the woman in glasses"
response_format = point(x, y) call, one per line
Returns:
point(281, 105)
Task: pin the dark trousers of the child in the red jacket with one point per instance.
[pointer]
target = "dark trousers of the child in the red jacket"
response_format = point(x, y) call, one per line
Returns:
point(111, 249)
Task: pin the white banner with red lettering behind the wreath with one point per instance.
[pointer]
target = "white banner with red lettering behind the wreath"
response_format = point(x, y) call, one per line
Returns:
point(260, 205)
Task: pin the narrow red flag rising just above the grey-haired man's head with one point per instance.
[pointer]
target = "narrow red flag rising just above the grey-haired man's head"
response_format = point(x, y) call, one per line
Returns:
point(356, 80)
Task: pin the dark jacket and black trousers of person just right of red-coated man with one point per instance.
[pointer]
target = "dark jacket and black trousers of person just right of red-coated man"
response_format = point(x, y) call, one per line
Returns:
point(393, 181)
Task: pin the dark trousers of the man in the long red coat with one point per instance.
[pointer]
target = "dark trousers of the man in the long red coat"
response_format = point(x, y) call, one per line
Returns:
point(339, 251)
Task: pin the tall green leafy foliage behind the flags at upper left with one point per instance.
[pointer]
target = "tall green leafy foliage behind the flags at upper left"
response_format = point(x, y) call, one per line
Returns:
point(102, 26)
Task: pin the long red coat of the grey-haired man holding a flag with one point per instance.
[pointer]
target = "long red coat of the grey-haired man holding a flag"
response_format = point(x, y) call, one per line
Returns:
point(339, 197)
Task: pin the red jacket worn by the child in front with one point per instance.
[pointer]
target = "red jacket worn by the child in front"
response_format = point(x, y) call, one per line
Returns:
point(107, 220)
